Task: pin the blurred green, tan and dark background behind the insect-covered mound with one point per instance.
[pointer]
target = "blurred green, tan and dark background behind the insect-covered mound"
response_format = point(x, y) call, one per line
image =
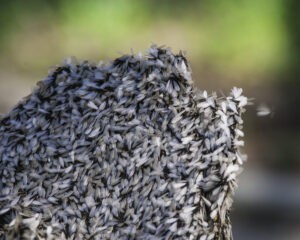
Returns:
point(250, 44)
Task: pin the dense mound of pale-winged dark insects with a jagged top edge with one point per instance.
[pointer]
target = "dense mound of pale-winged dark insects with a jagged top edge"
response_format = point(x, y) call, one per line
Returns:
point(126, 150)
